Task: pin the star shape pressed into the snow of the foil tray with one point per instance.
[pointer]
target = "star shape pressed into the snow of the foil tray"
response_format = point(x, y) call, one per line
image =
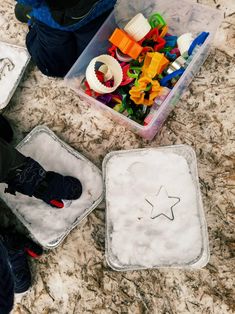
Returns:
point(162, 204)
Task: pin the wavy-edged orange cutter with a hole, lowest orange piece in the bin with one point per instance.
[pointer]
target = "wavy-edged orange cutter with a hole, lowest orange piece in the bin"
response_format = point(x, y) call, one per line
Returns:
point(138, 93)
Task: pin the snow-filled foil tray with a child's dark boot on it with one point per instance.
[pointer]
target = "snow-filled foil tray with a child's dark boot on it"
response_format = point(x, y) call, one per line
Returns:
point(47, 225)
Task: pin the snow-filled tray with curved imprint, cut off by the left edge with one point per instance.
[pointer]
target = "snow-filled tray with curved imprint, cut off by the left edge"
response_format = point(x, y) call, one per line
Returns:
point(13, 62)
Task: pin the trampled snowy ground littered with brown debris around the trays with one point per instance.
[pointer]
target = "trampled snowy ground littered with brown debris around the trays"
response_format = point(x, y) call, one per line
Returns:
point(75, 278)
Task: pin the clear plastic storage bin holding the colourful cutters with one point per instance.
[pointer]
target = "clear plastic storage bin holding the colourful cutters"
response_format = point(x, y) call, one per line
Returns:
point(181, 17)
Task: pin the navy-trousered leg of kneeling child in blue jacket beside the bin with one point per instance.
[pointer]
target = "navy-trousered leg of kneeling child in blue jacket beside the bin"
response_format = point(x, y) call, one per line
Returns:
point(54, 51)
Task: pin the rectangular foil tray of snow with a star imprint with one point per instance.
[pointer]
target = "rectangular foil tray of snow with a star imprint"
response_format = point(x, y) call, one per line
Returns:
point(154, 213)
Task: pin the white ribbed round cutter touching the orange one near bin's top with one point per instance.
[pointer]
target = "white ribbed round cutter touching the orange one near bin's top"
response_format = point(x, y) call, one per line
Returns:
point(138, 27)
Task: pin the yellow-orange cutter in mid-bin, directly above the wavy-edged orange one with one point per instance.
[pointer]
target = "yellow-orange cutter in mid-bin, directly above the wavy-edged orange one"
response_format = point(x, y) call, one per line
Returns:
point(154, 63)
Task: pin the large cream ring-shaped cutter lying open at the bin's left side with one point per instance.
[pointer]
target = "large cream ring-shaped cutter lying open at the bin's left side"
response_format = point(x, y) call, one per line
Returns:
point(112, 65)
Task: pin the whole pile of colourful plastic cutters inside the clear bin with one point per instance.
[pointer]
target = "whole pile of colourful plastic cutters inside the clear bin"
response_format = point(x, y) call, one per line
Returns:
point(144, 64)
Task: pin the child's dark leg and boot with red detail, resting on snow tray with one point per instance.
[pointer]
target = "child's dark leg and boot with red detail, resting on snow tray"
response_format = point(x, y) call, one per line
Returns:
point(26, 176)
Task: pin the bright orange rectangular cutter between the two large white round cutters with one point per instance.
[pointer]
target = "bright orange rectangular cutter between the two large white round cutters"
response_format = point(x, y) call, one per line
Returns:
point(125, 43)
